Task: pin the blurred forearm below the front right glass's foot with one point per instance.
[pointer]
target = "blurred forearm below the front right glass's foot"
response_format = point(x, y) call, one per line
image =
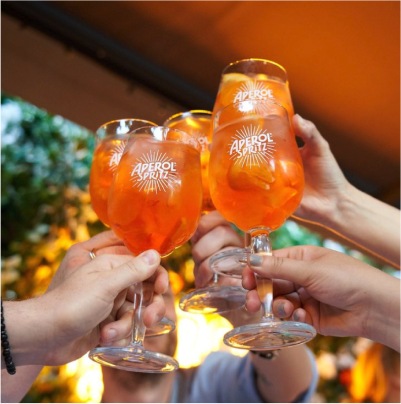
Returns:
point(292, 365)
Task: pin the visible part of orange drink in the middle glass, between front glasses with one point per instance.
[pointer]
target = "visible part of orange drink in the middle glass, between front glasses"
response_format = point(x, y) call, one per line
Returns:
point(197, 123)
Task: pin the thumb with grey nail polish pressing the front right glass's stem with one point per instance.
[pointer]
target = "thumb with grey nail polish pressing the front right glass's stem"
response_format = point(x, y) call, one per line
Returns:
point(287, 269)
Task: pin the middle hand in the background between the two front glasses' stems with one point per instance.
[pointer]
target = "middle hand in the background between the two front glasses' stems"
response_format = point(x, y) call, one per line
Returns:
point(213, 234)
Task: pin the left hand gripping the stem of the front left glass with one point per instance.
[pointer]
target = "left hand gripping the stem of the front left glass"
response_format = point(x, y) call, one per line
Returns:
point(85, 294)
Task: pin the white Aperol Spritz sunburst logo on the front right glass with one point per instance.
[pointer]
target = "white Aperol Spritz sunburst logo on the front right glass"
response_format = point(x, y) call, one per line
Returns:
point(251, 146)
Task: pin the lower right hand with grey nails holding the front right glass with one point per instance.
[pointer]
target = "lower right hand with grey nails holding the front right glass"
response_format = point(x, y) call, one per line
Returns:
point(337, 294)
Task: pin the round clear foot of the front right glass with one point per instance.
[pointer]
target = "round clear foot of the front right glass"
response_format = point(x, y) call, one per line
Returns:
point(270, 335)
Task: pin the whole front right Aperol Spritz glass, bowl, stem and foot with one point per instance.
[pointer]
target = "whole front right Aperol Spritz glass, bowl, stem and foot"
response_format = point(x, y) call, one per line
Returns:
point(256, 182)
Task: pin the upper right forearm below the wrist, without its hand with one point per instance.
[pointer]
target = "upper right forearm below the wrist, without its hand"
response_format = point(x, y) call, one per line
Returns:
point(368, 223)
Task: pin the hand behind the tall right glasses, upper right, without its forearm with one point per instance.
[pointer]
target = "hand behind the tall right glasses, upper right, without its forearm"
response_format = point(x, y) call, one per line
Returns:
point(325, 183)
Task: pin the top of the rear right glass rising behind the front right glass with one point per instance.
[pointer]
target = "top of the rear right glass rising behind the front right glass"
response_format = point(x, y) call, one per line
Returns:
point(254, 79)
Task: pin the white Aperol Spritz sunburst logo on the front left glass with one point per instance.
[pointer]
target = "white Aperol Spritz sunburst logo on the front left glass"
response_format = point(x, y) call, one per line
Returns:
point(154, 172)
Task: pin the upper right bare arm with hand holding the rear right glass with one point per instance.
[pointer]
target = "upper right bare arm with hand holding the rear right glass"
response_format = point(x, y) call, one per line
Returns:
point(331, 201)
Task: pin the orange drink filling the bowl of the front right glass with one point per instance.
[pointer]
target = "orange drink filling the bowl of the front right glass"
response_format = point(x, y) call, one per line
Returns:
point(256, 173)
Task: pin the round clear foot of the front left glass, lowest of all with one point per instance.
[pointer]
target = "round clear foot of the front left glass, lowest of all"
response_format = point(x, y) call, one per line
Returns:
point(133, 360)
